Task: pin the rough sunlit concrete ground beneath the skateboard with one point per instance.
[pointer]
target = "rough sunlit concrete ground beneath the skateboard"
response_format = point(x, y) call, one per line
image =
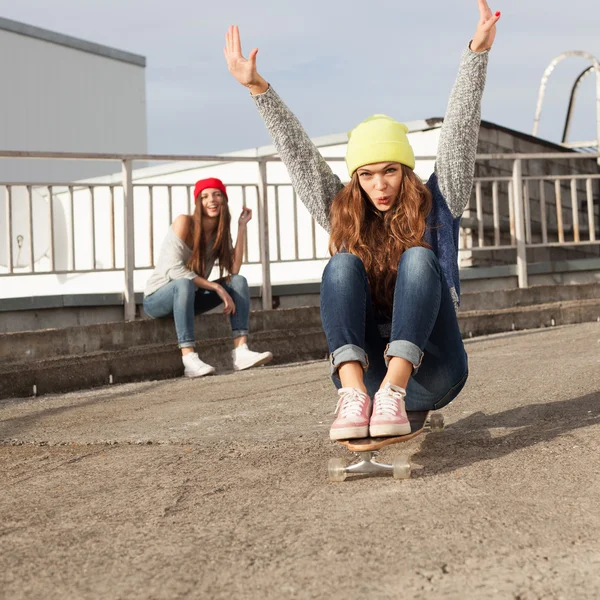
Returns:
point(217, 488)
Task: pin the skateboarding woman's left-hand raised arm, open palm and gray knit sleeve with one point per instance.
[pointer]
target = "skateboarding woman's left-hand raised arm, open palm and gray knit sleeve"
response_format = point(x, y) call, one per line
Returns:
point(311, 176)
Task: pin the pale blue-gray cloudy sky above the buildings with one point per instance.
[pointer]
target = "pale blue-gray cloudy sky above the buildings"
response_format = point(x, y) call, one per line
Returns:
point(334, 62)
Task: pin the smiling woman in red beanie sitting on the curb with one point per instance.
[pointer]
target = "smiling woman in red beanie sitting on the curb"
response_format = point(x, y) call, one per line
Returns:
point(179, 284)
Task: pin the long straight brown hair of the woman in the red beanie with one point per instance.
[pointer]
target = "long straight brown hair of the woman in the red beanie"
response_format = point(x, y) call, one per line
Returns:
point(221, 250)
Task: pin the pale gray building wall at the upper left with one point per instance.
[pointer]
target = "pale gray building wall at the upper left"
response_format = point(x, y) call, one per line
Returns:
point(57, 98)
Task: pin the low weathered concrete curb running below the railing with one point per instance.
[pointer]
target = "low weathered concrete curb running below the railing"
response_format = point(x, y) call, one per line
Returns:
point(96, 355)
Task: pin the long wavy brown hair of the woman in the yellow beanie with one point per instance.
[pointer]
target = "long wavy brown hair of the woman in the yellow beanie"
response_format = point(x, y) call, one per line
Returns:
point(379, 238)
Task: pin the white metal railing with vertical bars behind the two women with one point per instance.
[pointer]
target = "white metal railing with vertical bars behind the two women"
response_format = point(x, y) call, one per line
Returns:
point(113, 226)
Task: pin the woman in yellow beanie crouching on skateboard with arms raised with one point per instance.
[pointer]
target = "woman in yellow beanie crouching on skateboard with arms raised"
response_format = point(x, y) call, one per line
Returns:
point(390, 290)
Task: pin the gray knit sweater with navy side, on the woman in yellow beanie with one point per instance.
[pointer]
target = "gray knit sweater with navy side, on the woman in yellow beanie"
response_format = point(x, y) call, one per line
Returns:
point(450, 184)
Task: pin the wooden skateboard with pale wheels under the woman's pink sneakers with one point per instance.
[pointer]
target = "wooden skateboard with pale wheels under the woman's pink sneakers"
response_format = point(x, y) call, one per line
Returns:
point(367, 448)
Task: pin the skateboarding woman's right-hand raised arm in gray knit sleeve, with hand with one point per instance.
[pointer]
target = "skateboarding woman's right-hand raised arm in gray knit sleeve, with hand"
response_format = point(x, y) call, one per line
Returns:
point(455, 164)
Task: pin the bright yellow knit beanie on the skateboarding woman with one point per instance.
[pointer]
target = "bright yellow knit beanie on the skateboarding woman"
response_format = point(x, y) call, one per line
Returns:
point(378, 139)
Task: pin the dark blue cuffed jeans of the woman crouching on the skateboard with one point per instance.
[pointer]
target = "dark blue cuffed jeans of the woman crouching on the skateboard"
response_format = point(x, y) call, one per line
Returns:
point(424, 328)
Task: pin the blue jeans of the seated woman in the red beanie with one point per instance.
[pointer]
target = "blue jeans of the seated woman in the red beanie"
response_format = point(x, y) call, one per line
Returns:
point(183, 300)
